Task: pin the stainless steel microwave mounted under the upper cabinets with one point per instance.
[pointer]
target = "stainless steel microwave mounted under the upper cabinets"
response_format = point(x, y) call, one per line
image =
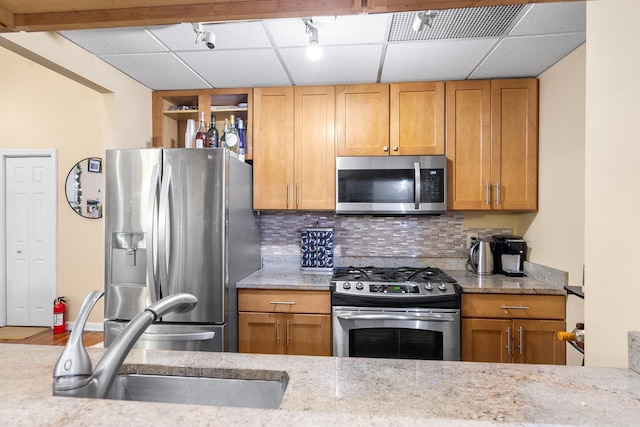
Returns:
point(409, 185)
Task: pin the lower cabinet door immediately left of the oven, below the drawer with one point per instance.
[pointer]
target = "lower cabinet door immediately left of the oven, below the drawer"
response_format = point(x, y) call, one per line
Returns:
point(308, 334)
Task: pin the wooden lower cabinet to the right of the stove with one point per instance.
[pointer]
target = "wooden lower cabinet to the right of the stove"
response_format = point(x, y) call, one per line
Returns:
point(513, 329)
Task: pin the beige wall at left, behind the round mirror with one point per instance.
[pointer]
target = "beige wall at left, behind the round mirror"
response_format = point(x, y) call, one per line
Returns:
point(81, 109)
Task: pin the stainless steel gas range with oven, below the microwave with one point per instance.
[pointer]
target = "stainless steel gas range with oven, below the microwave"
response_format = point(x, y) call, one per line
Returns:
point(404, 313)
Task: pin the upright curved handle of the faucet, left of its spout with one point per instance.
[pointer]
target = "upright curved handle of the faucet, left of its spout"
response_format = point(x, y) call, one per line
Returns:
point(74, 360)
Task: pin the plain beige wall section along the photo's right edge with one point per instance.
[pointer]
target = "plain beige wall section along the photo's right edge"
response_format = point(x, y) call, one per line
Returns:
point(612, 165)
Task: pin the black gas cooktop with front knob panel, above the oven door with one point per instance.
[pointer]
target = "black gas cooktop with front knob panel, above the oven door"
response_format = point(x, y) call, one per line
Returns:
point(393, 287)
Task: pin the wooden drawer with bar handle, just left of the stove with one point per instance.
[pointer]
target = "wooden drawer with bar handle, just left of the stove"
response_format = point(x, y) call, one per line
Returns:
point(284, 301)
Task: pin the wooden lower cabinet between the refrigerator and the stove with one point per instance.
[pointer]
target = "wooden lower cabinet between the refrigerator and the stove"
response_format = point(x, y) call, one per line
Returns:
point(284, 322)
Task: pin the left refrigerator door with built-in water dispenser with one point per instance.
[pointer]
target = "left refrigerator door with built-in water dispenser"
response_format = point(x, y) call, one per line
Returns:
point(130, 205)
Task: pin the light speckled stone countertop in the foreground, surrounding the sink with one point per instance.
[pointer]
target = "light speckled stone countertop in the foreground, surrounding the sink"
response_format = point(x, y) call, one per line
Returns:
point(339, 391)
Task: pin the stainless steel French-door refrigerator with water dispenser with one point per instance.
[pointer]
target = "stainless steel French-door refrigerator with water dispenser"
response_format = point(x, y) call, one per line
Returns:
point(178, 220)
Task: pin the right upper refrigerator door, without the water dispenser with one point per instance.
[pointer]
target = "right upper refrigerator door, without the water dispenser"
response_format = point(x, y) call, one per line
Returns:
point(192, 231)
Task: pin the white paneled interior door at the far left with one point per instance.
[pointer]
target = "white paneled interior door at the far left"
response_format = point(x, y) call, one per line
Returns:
point(30, 240)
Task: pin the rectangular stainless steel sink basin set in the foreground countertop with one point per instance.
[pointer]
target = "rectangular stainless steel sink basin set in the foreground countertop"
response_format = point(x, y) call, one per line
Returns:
point(247, 389)
